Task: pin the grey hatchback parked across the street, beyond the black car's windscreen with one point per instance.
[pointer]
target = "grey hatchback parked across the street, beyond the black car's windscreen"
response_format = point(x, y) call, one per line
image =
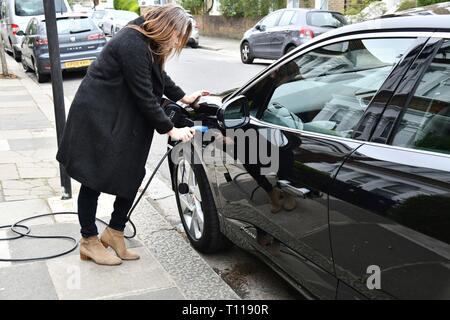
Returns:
point(286, 29)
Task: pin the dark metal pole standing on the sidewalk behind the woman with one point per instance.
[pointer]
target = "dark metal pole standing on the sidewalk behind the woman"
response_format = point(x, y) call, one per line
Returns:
point(57, 87)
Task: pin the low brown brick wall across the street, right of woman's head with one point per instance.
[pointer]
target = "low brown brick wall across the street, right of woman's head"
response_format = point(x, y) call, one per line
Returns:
point(219, 26)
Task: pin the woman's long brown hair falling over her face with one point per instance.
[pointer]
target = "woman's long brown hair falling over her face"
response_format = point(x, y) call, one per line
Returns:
point(161, 23)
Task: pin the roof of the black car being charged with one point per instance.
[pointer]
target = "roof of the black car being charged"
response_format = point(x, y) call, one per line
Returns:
point(408, 23)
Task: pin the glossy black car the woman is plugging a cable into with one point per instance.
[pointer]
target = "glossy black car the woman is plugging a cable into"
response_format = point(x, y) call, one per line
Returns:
point(355, 200)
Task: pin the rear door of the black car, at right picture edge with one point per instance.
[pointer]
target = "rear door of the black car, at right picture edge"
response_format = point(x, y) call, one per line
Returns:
point(390, 209)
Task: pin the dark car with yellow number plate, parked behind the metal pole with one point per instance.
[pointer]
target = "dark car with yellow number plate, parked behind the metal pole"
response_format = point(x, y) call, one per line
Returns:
point(80, 43)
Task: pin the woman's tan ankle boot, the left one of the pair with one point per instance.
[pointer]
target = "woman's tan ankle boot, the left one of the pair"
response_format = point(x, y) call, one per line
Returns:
point(92, 249)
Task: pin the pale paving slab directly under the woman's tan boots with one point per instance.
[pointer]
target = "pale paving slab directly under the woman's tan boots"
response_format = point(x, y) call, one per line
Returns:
point(76, 279)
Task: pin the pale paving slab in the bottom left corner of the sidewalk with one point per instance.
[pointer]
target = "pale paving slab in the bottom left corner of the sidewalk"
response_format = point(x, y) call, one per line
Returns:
point(26, 282)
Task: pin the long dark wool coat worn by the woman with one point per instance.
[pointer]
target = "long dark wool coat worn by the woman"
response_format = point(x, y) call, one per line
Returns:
point(113, 116)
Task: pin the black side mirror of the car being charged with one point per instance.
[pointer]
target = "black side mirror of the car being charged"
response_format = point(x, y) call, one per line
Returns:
point(234, 113)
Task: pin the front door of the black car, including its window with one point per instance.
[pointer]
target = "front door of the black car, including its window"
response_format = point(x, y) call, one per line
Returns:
point(307, 109)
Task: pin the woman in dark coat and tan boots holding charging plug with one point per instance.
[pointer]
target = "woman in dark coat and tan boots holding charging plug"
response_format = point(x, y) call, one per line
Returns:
point(112, 119)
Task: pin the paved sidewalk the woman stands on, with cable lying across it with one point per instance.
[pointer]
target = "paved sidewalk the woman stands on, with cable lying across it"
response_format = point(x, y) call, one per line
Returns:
point(29, 185)
